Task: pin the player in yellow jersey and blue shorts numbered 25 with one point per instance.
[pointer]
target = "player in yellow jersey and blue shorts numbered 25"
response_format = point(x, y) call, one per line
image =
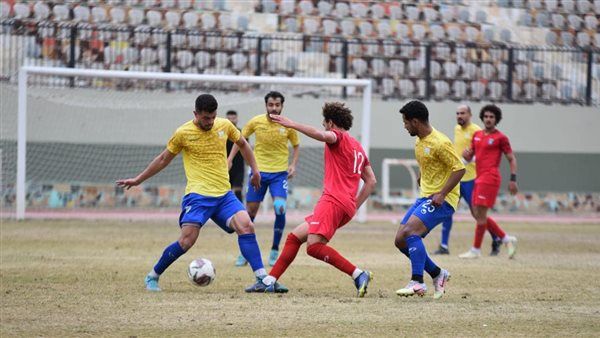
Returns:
point(440, 171)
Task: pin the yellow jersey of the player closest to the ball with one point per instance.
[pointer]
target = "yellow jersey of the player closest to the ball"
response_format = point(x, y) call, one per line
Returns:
point(205, 156)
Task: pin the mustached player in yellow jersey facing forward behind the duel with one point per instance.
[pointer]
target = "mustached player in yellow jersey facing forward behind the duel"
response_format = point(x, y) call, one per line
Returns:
point(272, 155)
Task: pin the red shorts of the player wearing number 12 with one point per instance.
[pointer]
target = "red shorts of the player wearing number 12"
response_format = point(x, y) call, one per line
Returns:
point(327, 217)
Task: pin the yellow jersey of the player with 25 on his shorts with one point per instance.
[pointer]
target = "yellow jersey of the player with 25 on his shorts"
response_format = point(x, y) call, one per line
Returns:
point(437, 160)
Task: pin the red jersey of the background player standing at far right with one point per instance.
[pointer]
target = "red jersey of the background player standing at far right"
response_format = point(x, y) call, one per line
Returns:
point(488, 153)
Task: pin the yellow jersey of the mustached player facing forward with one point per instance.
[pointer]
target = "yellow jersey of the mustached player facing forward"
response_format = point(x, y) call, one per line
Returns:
point(271, 145)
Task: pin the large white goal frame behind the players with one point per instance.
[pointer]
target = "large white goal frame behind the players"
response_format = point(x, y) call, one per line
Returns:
point(25, 71)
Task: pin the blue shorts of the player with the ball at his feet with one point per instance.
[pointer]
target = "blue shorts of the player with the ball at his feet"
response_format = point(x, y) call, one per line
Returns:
point(198, 209)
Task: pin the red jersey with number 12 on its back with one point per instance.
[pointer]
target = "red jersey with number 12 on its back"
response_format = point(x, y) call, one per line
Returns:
point(344, 162)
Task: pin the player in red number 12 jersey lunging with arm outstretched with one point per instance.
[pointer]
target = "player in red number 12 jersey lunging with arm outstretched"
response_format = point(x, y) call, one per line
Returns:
point(345, 165)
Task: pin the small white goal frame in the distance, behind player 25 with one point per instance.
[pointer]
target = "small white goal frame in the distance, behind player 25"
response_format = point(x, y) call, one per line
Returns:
point(410, 165)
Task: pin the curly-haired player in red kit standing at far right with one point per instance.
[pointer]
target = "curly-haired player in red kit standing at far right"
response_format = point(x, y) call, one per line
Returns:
point(487, 146)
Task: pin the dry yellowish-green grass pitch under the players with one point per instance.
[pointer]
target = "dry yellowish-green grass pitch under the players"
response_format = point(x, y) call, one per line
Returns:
point(71, 278)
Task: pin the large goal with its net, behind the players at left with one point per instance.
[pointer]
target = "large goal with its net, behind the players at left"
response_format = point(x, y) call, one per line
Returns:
point(68, 134)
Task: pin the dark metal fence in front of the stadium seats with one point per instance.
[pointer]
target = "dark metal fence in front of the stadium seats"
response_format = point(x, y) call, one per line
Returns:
point(426, 70)
